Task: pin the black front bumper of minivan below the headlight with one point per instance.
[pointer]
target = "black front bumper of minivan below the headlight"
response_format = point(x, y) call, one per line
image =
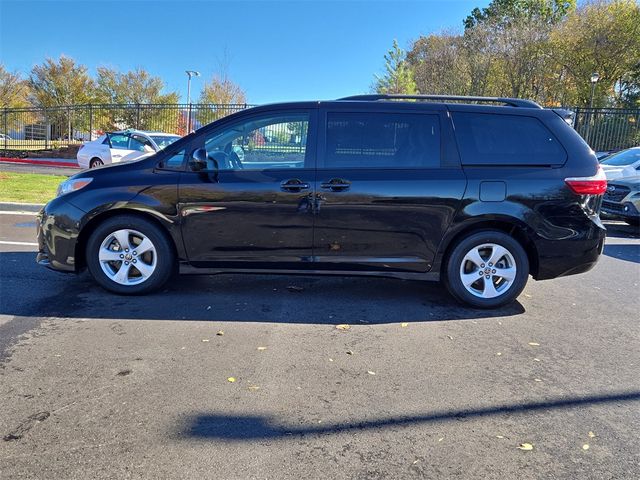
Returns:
point(58, 227)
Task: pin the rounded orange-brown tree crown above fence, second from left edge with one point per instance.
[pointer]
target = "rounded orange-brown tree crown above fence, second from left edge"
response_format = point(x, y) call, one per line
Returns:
point(62, 82)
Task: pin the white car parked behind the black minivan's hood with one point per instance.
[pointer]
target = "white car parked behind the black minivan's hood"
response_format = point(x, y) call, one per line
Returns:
point(123, 146)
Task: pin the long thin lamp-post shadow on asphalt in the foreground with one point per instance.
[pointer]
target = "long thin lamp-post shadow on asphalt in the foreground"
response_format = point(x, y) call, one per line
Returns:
point(247, 428)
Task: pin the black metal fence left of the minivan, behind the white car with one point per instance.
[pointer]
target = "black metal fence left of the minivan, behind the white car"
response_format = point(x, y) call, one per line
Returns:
point(47, 128)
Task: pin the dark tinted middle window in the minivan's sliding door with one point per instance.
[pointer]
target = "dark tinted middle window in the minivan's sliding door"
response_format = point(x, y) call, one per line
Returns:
point(374, 140)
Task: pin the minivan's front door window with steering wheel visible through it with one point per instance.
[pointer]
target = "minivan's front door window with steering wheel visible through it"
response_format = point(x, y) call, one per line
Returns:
point(260, 143)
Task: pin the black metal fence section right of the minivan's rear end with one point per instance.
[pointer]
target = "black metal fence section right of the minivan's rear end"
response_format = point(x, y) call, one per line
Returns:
point(608, 128)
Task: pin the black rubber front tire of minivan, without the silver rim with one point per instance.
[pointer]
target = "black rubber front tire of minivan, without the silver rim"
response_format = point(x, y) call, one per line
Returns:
point(165, 259)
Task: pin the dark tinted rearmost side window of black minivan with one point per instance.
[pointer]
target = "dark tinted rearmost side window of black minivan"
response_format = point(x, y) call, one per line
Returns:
point(495, 139)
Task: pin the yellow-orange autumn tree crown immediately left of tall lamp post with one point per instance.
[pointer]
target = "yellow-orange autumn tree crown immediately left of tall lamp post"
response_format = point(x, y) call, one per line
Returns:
point(136, 86)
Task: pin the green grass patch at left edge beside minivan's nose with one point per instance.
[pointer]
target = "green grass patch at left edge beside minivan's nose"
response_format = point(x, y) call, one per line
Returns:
point(28, 187)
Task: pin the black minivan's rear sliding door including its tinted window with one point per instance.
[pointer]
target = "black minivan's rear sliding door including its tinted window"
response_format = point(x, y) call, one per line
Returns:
point(387, 188)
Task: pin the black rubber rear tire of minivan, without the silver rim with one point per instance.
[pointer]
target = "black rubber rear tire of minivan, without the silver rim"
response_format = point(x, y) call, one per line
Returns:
point(452, 270)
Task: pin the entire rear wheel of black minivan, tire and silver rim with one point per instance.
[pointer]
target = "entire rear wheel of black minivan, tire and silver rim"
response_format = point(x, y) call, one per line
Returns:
point(487, 269)
